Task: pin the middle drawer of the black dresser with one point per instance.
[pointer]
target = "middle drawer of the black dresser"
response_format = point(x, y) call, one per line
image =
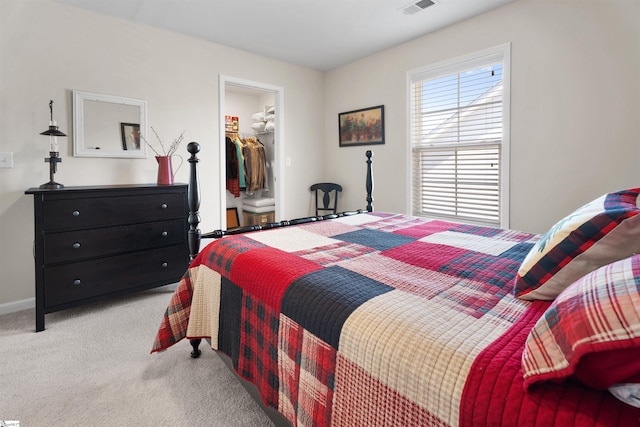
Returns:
point(91, 243)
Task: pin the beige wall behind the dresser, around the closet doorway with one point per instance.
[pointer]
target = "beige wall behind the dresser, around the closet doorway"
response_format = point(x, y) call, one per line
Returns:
point(49, 49)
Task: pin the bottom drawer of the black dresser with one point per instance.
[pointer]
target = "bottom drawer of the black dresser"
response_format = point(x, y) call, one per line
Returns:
point(69, 283)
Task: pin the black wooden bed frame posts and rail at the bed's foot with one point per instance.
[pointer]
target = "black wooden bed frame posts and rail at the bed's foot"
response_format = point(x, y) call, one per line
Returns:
point(195, 236)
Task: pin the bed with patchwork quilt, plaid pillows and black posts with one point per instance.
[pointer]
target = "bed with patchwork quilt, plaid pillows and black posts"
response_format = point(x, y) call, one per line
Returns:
point(384, 319)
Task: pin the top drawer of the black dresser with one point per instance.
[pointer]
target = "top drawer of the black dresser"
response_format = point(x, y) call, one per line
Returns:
point(67, 214)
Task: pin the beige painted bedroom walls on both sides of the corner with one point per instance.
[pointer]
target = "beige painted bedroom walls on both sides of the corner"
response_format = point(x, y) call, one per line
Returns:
point(575, 116)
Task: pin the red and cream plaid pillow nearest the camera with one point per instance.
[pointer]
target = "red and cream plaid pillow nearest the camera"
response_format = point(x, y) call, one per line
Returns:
point(591, 332)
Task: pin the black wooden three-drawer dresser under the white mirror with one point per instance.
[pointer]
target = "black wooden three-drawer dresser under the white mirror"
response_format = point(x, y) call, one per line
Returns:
point(94, 243)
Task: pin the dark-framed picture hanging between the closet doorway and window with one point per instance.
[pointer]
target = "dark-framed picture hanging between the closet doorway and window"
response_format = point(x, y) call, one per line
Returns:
point(361, 127)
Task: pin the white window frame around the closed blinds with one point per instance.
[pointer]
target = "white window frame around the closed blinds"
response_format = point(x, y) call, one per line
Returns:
point(456, 65)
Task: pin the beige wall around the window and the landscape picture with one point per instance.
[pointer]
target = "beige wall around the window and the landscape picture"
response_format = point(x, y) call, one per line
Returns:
point(575, 115)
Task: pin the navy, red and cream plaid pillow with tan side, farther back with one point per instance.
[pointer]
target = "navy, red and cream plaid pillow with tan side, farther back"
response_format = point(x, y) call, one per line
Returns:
point(599, 233)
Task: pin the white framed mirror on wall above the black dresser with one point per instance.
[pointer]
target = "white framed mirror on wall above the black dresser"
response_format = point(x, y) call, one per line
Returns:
point(108, 126)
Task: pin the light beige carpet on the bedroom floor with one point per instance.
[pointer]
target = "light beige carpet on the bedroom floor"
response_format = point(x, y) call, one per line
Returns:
point(92, 366)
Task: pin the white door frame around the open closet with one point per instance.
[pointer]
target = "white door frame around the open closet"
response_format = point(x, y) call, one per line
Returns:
point(278, 139)
